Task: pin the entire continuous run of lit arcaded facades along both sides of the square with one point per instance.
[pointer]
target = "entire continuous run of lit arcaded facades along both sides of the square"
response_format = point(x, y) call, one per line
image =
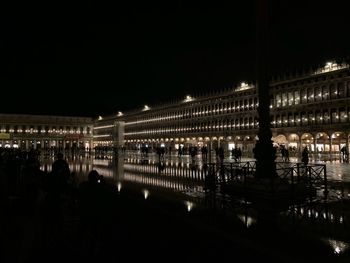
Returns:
point(310, 109)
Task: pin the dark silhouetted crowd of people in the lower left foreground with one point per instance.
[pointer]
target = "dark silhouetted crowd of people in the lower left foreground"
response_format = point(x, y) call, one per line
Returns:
point(44, 199)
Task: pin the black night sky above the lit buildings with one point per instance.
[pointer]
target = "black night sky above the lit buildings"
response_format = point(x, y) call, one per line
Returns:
point(86, 58)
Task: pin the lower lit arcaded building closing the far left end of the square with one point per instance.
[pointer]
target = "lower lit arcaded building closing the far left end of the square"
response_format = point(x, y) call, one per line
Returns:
point(45, 132)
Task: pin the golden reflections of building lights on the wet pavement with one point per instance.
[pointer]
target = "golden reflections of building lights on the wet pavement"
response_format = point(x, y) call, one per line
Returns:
point(187, 180)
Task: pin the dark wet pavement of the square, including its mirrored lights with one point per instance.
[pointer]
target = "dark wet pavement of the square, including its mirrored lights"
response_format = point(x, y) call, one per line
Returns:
point(155, 213)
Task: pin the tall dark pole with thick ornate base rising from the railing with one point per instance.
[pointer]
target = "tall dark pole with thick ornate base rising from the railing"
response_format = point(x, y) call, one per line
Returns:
point(264, 151)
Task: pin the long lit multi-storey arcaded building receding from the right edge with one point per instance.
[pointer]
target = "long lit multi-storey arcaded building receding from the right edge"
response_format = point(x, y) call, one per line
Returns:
point(310, 109)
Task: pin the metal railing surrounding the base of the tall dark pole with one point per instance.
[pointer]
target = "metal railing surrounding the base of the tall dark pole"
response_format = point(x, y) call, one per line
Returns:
point(293, 179)
